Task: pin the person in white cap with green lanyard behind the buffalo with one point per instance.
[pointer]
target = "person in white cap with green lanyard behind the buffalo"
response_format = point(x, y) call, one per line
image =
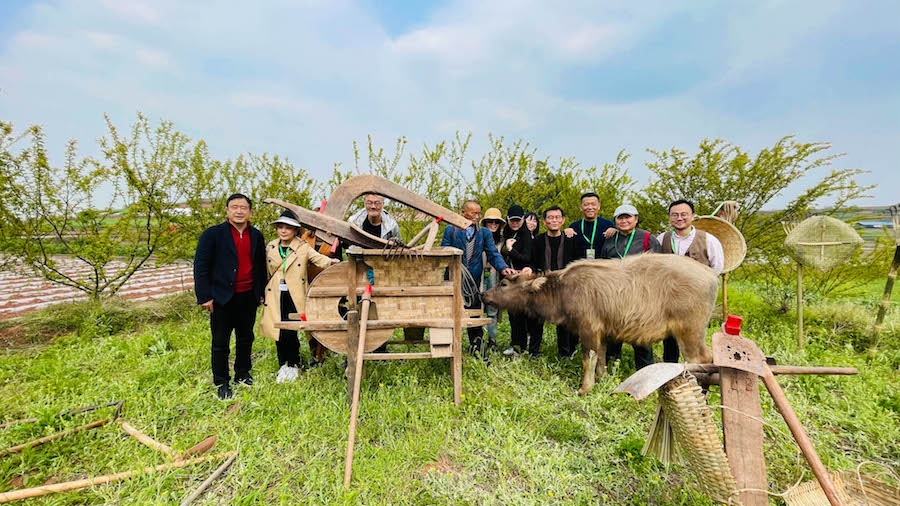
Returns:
point(629, 240)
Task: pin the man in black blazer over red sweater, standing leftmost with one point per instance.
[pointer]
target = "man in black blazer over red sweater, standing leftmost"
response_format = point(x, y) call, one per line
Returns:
point(229, 279)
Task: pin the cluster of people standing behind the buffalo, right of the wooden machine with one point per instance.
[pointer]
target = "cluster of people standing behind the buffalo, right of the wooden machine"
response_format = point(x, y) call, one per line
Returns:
point(495, 247)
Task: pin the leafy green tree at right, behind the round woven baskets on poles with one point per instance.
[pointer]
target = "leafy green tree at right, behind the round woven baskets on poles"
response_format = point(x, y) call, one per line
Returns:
point(721, 171)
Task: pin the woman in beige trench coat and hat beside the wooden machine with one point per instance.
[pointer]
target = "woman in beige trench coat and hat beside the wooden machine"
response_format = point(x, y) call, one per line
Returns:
point(286, 260)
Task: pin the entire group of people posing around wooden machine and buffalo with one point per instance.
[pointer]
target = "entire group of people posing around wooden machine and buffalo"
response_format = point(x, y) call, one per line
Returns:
point(235, 271)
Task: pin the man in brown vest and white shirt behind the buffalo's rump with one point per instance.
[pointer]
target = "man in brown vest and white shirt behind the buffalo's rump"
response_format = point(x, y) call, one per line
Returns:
point(686, 240)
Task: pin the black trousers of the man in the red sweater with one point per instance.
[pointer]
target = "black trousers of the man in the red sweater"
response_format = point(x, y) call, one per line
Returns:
point(239, 315)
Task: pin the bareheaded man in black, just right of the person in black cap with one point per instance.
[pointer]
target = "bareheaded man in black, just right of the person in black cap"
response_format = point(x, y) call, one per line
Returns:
point(552, 251)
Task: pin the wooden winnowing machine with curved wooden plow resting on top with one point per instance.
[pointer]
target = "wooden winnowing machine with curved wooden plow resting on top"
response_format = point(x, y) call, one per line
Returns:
point(350, 316)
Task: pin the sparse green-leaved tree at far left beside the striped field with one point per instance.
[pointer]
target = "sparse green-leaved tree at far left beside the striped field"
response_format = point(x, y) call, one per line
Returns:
point(111, 214)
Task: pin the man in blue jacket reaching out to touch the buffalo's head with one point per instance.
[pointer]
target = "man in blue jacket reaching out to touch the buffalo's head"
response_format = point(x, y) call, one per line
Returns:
point(475, 241)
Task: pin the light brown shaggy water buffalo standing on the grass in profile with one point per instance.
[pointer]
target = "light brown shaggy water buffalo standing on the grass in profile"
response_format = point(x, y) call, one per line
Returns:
point(639, 300)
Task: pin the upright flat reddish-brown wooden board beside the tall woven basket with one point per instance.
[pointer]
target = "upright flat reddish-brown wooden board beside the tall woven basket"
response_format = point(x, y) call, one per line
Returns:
point(744, 435)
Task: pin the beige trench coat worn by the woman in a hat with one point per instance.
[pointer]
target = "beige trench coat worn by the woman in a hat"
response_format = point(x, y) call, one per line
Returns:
point(295, 276)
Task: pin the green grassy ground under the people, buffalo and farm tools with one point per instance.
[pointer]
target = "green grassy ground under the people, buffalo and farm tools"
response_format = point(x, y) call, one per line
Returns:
point(521, 436)
